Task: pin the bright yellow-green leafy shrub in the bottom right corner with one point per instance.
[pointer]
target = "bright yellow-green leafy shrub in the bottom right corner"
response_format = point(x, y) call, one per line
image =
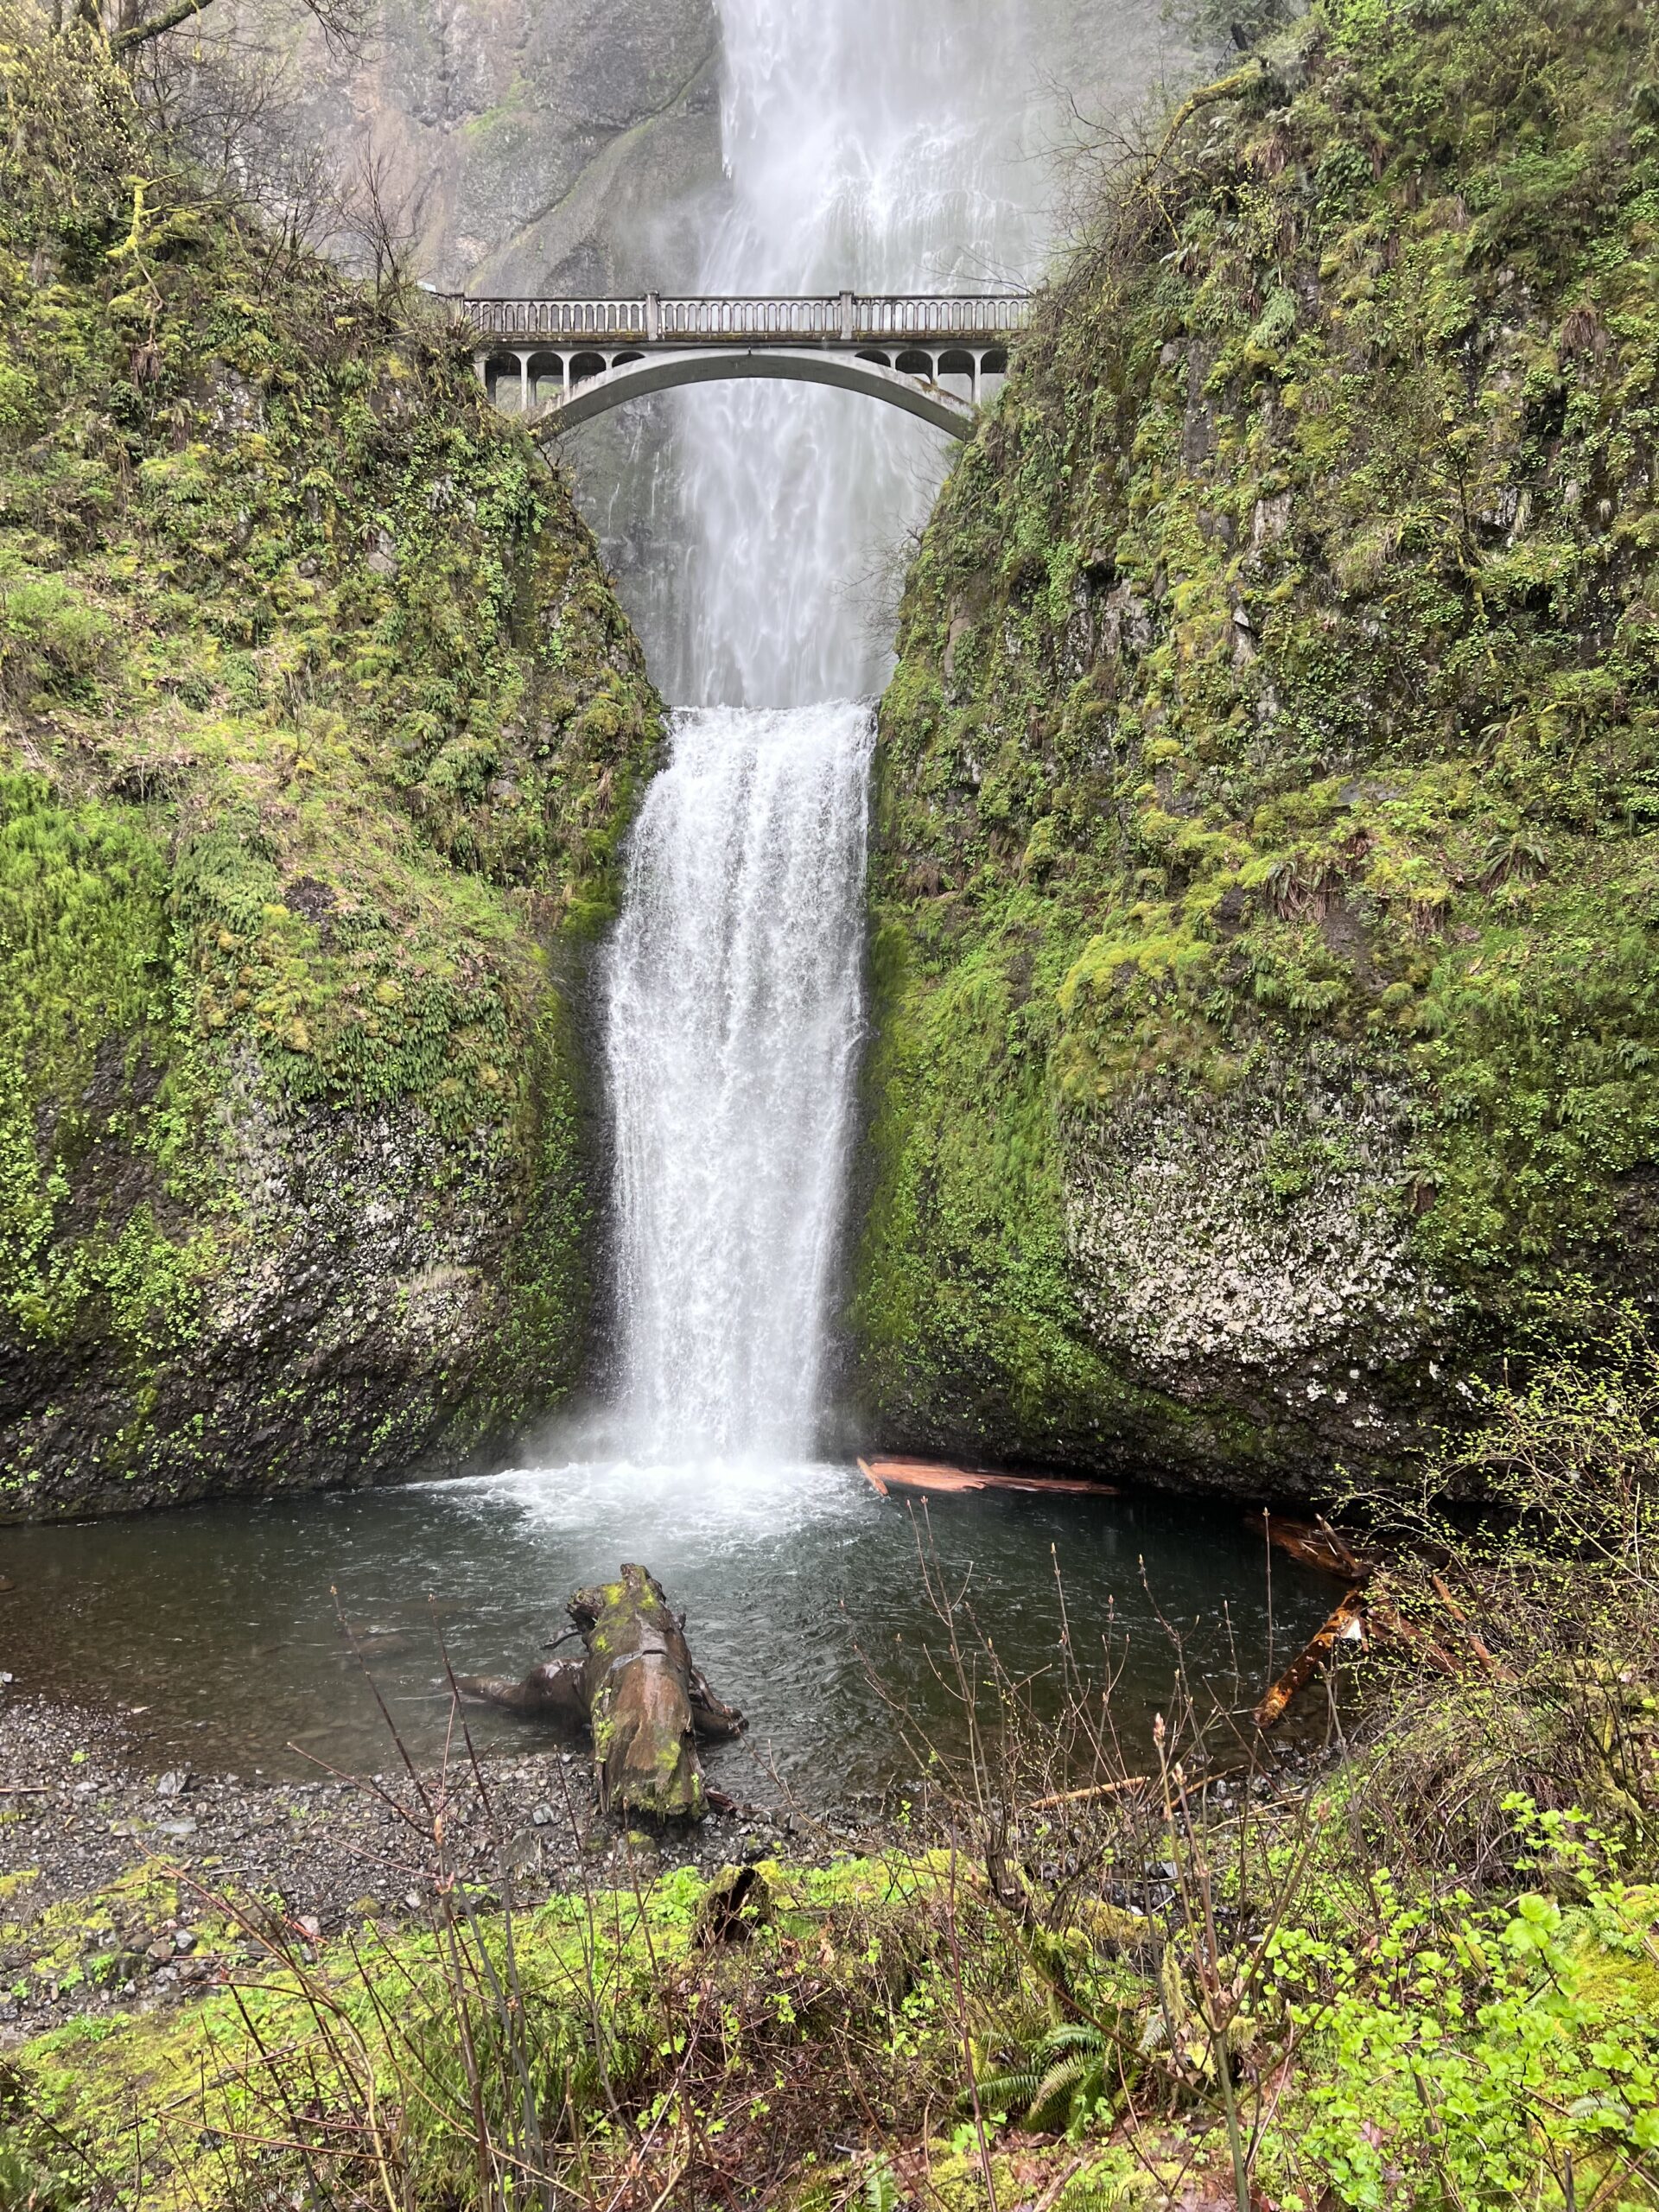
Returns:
point(1479, 2054)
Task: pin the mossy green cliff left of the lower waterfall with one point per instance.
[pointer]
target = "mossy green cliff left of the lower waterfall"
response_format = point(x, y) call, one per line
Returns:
point(317, 735)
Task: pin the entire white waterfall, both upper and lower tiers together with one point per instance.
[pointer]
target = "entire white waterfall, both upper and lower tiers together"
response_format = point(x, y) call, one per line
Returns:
point(870, 145)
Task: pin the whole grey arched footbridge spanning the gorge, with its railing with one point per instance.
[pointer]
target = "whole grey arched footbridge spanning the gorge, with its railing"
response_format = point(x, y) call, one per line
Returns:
point(563, 362)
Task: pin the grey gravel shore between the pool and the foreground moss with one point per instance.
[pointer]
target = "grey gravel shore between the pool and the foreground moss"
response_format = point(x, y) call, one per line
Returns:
point(125, 1888)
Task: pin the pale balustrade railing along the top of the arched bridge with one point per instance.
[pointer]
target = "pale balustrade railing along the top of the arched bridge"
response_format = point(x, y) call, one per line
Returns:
point(762, 317)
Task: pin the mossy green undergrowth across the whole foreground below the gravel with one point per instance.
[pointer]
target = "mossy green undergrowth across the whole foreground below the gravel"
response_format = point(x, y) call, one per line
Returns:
point(828, 2041)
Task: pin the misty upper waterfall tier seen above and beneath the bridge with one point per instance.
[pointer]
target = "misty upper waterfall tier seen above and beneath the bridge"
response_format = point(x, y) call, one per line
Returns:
point(875, 145)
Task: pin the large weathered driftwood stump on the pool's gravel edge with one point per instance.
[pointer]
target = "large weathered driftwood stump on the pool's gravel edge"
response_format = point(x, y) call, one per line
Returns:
point(636, 1689)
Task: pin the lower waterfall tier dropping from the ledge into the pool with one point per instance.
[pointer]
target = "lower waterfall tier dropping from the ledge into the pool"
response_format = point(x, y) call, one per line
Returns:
point(733, 1025)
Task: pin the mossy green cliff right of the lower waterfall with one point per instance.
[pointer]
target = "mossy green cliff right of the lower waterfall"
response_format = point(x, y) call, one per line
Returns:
point(1269, 868)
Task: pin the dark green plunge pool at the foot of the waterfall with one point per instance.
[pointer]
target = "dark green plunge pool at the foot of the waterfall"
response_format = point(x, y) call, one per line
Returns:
point(804, 1594)
